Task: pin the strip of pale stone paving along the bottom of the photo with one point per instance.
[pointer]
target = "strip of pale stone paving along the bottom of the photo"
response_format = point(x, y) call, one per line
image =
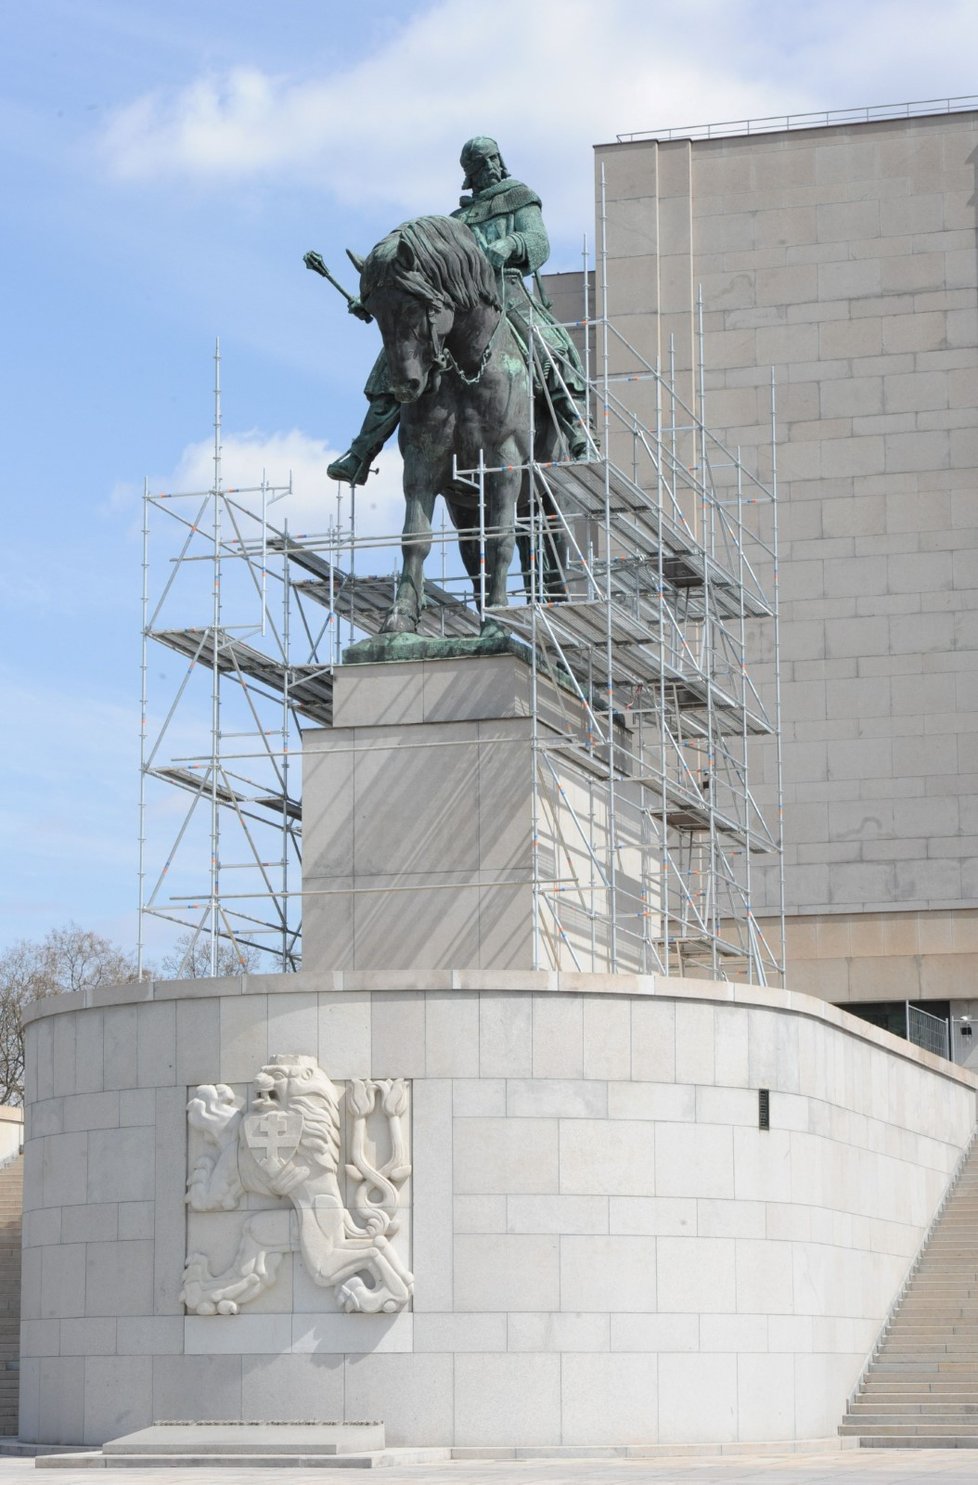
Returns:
point(838, 1468)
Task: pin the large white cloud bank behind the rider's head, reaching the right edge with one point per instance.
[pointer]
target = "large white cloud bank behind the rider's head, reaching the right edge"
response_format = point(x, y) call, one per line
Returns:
point(550, 79)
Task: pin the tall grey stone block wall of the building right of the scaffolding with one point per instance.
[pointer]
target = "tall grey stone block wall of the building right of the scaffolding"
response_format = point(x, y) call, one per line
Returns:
point(848, 261)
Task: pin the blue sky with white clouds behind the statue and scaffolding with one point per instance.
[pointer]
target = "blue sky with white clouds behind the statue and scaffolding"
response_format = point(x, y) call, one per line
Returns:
point(164, 169)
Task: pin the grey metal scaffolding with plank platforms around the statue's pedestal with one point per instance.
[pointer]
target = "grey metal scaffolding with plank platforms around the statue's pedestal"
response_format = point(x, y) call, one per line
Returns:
point(648, 826)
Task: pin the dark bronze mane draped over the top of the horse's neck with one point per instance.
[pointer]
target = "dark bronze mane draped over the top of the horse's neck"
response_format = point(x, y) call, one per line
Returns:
point(437, 259)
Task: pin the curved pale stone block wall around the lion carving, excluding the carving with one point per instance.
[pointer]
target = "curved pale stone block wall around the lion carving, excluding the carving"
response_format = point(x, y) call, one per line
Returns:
point(606, 1247)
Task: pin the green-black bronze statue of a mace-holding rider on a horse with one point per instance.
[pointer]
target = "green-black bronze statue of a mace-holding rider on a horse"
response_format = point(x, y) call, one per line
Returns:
point(473, 369)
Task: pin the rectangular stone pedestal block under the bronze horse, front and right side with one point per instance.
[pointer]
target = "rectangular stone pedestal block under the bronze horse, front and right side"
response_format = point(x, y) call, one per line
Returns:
point(421, 819)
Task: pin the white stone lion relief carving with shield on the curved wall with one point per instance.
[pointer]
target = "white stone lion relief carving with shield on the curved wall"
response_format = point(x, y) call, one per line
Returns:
point(286, 1141)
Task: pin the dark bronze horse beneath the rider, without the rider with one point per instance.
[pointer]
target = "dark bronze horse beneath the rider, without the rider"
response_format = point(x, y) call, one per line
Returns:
point(465, 385)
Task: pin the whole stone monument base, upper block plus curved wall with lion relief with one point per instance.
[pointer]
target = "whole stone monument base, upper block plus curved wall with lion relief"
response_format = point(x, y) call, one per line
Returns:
point(422, 1183)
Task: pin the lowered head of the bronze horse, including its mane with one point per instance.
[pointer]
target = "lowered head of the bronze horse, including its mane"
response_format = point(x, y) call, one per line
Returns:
point(421, 283)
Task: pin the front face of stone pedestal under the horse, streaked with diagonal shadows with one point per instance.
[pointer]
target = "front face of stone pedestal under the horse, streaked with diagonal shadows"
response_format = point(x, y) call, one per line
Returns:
point(416, 819)
